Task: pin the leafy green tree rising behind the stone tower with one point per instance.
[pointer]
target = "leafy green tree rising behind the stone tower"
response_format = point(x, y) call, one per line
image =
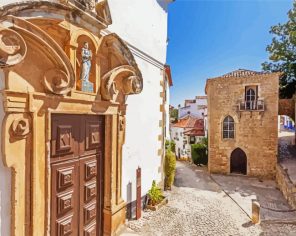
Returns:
point(282, 54)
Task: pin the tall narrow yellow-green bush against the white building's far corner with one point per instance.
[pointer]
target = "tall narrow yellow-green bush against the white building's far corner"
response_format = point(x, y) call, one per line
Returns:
point(169, 169)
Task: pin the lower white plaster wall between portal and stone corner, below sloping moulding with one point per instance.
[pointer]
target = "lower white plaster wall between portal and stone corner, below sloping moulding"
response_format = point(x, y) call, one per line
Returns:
point(142, 130)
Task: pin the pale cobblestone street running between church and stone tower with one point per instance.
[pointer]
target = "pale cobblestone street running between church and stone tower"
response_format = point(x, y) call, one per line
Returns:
point(198, 206)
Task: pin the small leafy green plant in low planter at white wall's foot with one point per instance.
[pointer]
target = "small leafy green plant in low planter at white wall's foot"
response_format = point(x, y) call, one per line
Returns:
point(155, 197)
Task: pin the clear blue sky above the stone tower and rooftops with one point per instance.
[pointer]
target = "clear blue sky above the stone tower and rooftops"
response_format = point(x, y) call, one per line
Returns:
point(208, 38)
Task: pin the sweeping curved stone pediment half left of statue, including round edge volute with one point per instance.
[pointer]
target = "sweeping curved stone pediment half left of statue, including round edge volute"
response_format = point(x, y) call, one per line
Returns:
point(60, 79)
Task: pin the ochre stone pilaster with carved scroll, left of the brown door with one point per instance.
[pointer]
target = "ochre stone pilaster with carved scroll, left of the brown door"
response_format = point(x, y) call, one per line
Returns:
point(16, 155)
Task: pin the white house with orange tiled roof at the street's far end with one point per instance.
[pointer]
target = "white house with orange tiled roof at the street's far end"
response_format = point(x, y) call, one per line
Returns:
point(187, 131)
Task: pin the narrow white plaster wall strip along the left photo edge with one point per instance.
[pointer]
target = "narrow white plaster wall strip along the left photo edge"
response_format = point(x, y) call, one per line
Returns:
point(5, 180)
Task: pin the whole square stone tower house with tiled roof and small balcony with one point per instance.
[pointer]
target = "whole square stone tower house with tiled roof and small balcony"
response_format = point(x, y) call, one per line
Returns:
point(242, 123)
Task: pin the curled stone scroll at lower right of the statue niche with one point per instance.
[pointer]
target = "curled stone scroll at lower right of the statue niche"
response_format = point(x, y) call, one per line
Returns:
point(121, 79)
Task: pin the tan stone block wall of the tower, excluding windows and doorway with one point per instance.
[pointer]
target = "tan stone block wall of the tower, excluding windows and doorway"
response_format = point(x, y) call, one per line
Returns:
point(255, 132)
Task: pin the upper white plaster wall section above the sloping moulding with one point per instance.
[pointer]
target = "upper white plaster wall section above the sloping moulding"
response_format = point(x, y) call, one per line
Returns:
point(142, 23)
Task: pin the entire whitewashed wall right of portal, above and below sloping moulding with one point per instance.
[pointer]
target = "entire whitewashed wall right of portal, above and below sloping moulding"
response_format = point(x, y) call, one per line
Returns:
point(143, 24)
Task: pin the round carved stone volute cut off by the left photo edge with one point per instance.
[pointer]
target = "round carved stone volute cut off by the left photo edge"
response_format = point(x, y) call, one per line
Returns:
point(13, 48)
